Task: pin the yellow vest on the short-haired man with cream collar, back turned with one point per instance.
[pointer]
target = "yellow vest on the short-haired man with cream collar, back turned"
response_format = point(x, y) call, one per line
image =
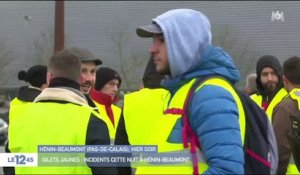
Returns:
point(44, 123)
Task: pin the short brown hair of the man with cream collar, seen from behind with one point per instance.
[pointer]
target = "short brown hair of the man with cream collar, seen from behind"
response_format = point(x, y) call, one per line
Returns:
point(65, 64)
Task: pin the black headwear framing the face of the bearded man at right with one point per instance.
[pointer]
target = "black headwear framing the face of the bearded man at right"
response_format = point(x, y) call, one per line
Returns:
point(272, 62)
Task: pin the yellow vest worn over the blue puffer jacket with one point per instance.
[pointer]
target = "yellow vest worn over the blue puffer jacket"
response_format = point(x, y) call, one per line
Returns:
point(167, 122)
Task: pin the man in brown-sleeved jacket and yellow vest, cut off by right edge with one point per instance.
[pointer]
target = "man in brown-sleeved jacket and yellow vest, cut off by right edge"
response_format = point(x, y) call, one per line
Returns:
point(289, 106)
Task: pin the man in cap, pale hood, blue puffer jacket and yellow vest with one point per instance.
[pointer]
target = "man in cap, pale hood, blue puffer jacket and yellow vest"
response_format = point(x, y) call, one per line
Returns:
point(182, 50)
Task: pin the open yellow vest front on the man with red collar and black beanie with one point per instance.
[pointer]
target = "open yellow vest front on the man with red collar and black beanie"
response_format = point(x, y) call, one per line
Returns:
point(111, 128)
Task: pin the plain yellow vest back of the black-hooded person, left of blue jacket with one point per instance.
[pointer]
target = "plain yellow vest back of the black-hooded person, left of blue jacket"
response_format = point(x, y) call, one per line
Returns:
point(140, 108)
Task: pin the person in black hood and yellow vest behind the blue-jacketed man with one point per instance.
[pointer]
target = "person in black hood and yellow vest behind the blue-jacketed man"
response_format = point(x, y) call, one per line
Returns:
point(143, 109)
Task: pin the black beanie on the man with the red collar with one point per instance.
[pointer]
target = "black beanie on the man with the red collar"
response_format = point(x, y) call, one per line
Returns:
point(104, 75)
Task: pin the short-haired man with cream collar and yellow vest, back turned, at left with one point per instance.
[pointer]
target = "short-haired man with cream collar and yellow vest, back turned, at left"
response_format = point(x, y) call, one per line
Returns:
point(60, 115)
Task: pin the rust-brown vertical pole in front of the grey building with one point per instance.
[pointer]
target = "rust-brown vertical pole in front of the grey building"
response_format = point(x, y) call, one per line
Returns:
point(59, 40)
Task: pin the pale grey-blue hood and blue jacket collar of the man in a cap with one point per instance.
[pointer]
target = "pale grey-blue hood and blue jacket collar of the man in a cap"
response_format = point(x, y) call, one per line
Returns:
point(190, 52)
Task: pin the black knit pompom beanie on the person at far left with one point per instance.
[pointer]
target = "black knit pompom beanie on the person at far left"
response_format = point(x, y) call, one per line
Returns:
point(36, 75)
